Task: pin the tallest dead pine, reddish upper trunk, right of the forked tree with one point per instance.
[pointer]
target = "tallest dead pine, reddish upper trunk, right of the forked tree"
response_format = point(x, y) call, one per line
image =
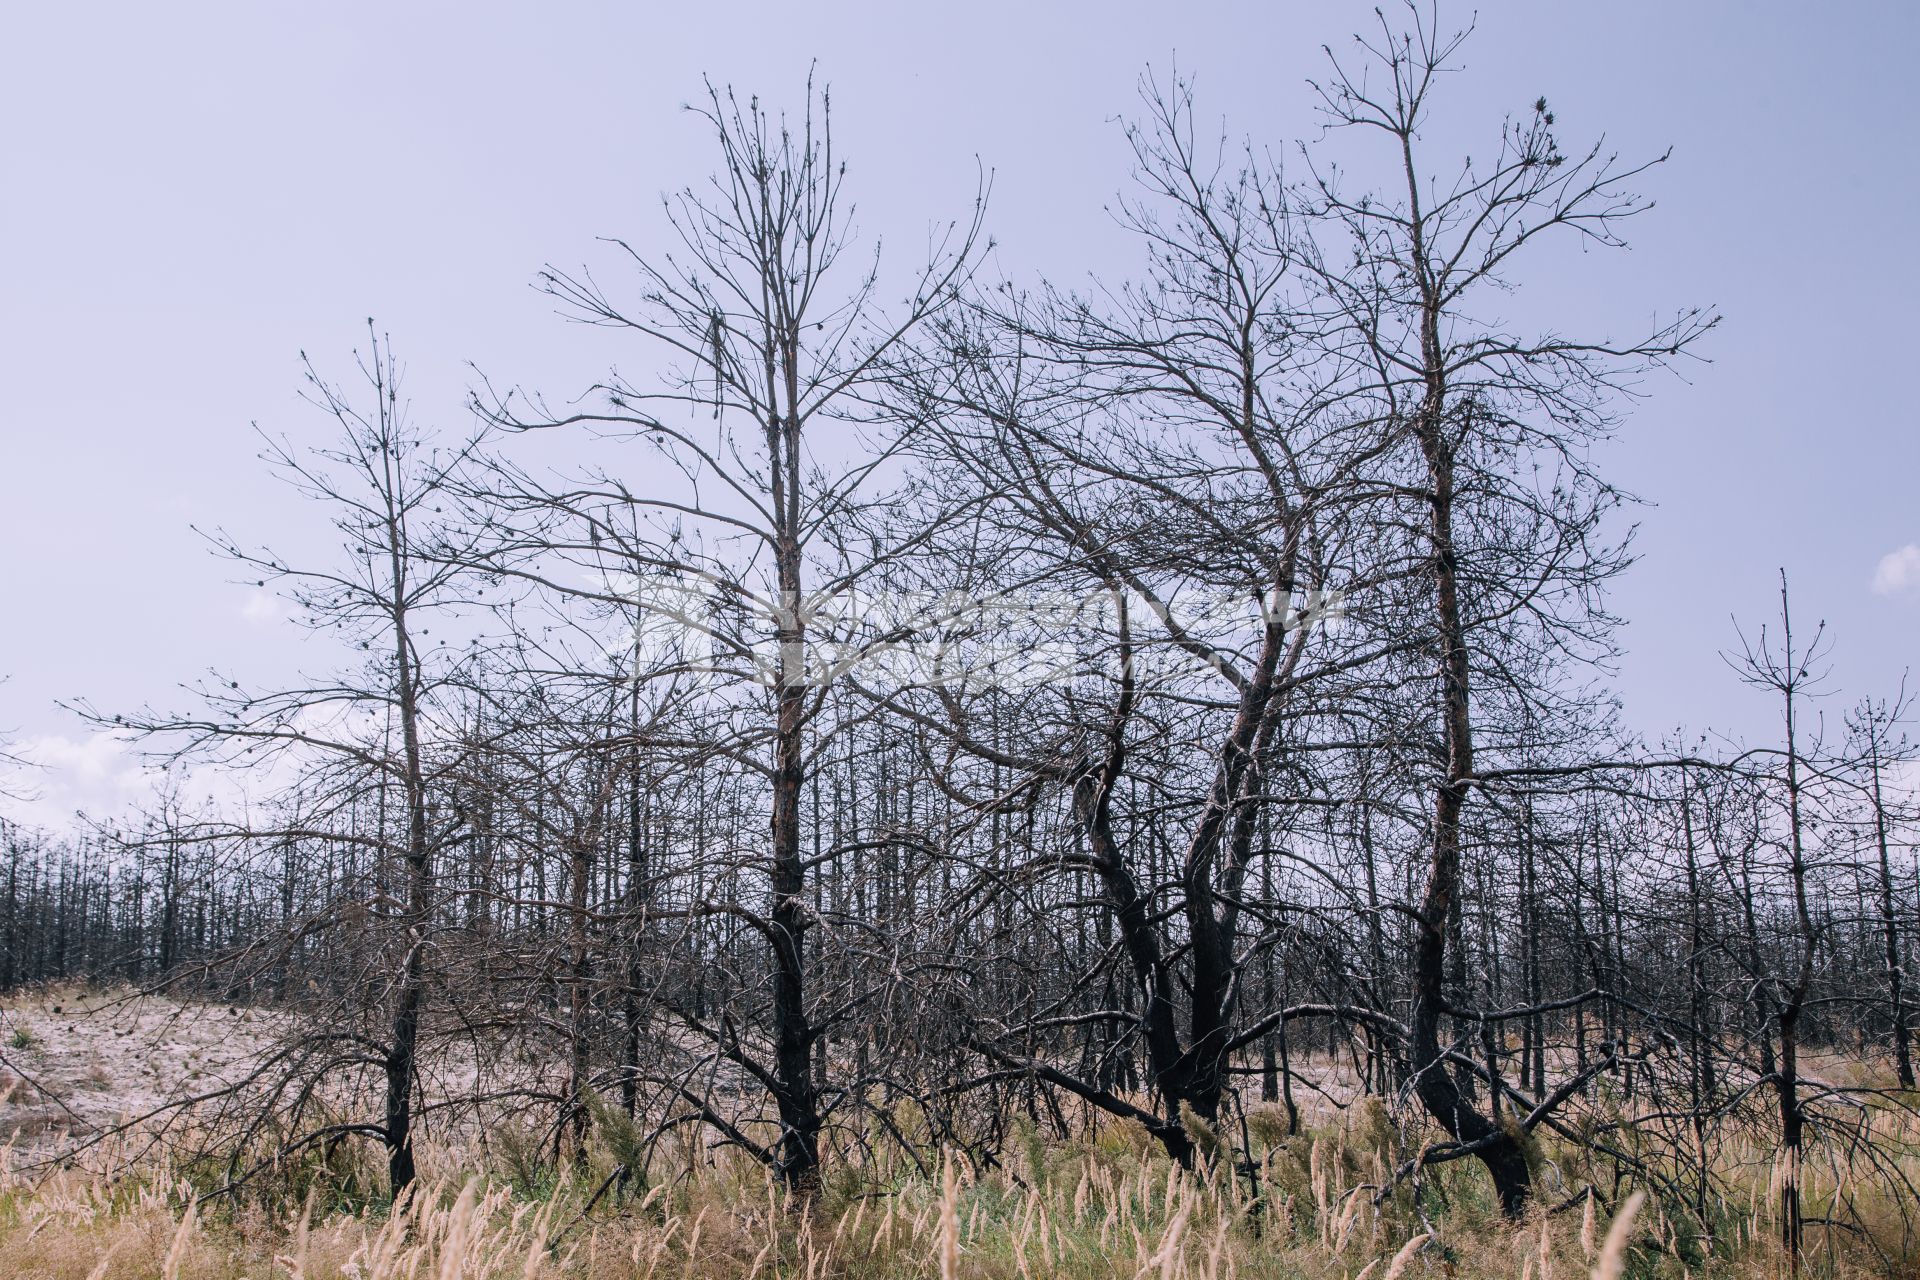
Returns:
point(1506, 565)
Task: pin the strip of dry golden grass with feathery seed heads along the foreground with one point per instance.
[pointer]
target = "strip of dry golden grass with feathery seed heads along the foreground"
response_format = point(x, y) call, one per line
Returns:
point(1067, 1212)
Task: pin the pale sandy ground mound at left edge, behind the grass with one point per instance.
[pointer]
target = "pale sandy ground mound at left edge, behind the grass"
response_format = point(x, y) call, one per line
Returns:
point(74, 1062)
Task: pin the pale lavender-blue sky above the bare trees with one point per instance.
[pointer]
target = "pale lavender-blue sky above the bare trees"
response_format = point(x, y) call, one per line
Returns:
point(197, 193)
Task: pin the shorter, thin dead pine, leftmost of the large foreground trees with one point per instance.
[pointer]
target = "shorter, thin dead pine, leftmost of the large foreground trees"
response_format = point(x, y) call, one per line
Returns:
point(387, 492)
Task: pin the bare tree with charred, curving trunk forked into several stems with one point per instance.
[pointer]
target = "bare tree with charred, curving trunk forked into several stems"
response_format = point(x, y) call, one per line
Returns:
point(1163, 448)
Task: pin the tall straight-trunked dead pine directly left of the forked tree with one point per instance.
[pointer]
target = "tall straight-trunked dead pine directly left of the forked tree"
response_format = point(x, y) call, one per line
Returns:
point(763, 454)
